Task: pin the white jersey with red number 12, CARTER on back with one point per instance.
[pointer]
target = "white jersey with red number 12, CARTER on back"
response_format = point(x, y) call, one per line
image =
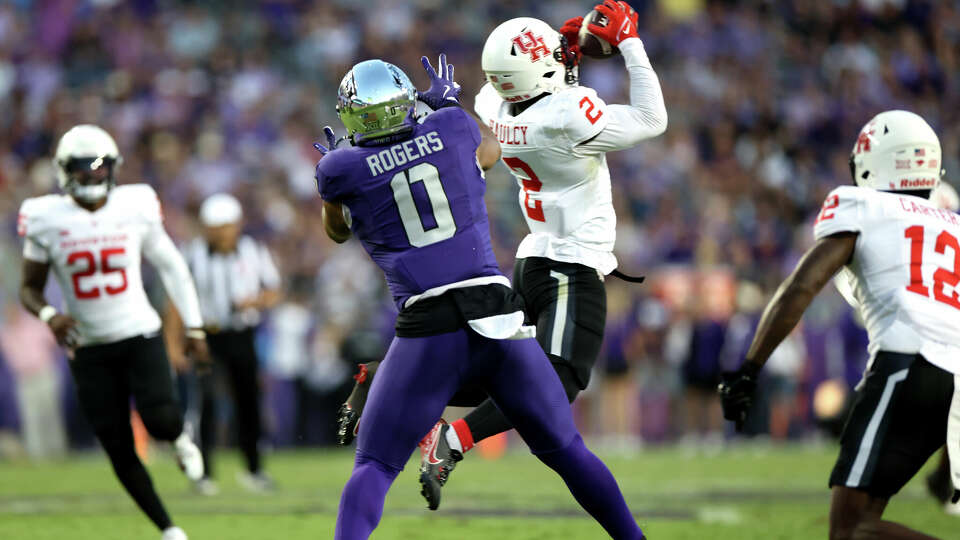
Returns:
point(905, 271)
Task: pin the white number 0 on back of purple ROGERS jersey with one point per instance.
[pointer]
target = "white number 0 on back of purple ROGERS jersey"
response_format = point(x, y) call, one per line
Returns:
point(413, 224)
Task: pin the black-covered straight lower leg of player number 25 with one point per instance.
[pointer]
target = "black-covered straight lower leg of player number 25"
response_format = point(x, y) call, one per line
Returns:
point(134, 477)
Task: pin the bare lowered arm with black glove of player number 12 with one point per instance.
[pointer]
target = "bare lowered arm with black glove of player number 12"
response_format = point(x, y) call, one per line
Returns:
point(780, 317)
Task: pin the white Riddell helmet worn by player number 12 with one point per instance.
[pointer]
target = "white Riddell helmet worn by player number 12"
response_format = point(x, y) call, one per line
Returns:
point(897, 151)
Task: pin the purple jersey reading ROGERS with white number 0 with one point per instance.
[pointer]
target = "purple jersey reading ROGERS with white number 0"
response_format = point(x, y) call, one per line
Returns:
point(417, 205)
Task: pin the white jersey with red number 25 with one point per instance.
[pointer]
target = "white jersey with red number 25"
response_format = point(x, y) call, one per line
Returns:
point(95, 257)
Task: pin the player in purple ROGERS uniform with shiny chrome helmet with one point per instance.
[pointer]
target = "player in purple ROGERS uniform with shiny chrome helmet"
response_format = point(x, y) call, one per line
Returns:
point(412, 193)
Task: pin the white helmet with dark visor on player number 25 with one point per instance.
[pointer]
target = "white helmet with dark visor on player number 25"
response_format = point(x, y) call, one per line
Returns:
point(88, 147)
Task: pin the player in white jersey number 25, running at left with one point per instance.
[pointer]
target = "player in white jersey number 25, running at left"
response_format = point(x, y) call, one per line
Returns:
point(92, 237)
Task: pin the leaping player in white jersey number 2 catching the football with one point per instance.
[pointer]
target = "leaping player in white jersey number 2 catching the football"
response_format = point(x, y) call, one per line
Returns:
point(554, 135)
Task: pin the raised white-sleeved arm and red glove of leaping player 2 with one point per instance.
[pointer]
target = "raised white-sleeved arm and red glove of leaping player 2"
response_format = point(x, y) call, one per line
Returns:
point(646, 116)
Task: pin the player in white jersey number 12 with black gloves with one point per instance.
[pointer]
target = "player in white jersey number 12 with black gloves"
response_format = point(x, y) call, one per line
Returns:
point(902, 254)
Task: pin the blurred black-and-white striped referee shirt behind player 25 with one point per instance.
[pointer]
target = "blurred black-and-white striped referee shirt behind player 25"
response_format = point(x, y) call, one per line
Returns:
point(225, 279)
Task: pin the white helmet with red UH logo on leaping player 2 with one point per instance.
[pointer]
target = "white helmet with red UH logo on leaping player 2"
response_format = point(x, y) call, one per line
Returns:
point(525, 57)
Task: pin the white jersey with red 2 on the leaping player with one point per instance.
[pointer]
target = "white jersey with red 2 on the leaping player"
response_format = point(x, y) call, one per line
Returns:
point(556, 149)
